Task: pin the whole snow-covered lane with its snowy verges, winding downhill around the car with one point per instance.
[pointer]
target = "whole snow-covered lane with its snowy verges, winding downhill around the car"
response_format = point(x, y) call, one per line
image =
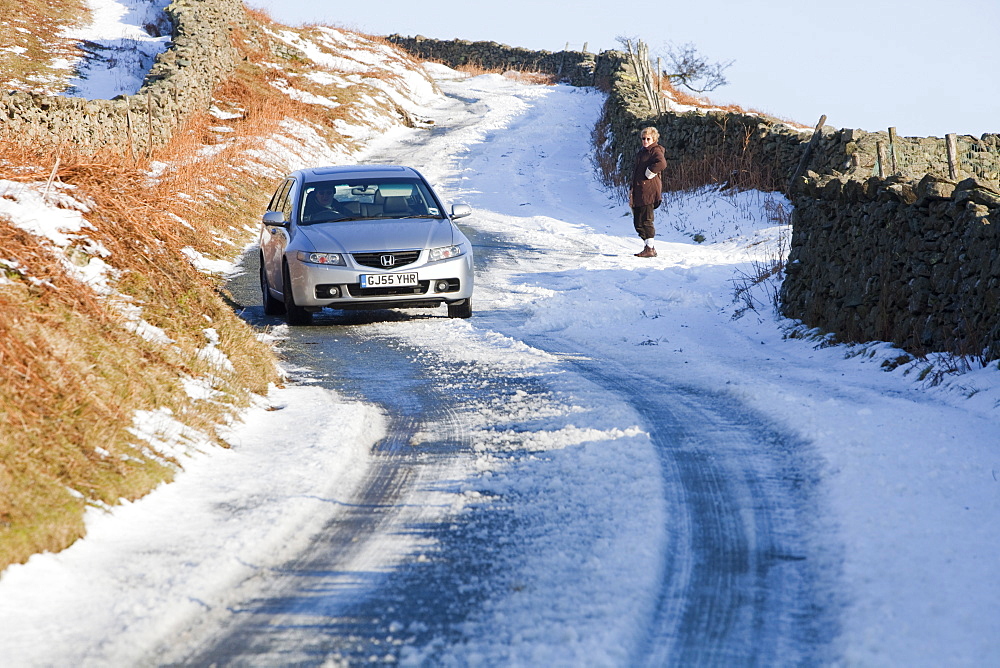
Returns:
point(601, 467)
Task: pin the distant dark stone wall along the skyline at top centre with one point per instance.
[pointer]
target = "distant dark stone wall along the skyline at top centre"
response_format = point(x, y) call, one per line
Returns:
point(573, 67)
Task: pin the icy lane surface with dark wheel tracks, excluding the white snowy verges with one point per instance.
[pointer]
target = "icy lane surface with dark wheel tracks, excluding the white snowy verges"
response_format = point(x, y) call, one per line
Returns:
point(537, 502)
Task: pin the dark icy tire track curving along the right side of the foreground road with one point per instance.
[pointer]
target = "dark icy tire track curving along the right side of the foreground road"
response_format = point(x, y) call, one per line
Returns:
point(746, 581)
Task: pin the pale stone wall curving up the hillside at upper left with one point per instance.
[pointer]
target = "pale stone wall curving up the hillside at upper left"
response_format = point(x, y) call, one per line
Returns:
point(201, 54)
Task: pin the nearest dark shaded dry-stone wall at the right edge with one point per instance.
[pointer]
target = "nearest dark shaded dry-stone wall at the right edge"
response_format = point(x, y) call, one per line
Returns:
point(886, 259)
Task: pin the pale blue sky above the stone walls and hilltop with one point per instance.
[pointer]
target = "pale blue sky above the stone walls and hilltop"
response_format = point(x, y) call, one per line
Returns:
point(916, 65)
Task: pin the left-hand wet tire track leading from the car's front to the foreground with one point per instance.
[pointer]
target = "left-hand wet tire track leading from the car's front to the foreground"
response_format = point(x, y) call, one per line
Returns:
point(344, 596)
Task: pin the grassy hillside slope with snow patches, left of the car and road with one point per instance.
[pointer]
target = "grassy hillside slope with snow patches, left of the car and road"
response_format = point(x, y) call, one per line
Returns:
point(120, 351)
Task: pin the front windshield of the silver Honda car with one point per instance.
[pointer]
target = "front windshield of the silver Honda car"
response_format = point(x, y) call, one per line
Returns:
point(367, 199)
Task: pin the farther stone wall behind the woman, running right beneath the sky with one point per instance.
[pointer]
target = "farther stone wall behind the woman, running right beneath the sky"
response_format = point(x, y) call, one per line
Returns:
point(772, 147)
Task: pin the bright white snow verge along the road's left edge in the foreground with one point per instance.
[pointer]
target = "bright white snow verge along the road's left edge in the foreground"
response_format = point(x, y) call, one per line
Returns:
point(135, 577)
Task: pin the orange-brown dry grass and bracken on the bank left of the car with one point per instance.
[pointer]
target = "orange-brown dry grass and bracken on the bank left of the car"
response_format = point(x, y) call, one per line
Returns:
point(72, 376)
